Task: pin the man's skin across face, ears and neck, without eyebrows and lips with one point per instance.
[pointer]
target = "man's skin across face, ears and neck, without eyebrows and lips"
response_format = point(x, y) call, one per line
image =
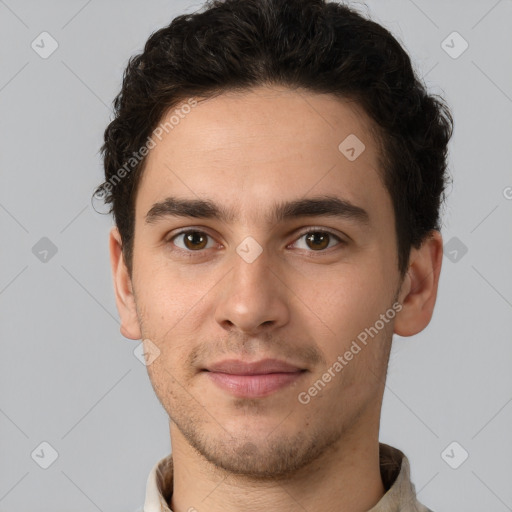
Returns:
point(295, 301)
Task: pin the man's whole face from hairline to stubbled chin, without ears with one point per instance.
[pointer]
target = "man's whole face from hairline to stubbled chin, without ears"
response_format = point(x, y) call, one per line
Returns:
point(252, 279)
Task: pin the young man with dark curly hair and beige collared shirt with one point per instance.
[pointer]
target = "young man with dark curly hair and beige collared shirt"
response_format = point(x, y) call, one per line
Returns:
point(275, 171)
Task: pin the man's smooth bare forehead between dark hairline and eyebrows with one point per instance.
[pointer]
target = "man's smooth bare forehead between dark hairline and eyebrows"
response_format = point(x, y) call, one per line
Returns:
point(248, 150)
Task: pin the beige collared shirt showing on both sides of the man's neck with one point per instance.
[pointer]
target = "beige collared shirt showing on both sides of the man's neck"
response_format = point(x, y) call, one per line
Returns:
point(400, 493)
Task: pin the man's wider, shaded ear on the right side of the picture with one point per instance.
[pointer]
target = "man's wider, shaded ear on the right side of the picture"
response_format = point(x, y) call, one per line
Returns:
point(418, 292)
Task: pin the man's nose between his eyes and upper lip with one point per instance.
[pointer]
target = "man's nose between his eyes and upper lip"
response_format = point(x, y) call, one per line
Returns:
point(253, 298)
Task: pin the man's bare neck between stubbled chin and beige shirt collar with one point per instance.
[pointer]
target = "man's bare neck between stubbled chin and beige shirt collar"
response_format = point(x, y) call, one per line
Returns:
point(345, 478)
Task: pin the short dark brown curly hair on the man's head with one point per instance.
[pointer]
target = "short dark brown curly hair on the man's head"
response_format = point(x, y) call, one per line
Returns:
point(314, 45)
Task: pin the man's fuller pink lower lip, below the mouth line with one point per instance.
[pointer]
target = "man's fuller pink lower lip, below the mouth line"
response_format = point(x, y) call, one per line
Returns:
point(253, 386)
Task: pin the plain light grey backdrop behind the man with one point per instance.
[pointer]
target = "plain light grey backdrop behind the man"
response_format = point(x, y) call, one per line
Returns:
point(68, 377)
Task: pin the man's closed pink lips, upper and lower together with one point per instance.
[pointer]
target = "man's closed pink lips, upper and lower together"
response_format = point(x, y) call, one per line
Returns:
point(253, 380)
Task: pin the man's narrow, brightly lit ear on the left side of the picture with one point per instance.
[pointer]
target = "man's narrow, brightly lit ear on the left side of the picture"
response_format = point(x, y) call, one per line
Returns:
point(123, 288)
